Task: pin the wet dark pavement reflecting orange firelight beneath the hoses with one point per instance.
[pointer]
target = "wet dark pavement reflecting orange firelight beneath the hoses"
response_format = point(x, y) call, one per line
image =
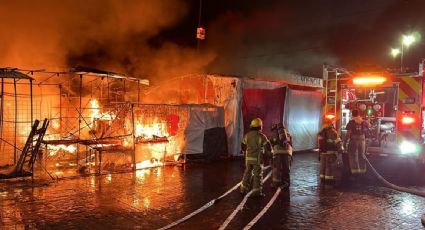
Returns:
point(153, 198)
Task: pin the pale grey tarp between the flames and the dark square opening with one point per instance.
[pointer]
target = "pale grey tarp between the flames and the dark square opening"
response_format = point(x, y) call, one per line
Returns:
point(200, 119)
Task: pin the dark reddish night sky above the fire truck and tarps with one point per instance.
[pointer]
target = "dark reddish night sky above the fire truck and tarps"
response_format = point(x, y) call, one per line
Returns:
point(302, 35)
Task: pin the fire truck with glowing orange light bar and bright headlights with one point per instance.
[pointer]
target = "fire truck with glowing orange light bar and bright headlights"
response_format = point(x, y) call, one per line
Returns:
point(393, 103)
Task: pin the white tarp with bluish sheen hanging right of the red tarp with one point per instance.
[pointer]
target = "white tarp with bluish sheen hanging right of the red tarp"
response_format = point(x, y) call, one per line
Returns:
point(302, 117)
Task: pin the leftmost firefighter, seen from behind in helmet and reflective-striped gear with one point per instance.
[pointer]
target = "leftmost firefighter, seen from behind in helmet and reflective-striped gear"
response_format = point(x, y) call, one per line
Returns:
point(254, 144)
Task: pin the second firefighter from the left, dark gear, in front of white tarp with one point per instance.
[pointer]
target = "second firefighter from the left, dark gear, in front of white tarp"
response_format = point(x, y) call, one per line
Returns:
point(282, 153)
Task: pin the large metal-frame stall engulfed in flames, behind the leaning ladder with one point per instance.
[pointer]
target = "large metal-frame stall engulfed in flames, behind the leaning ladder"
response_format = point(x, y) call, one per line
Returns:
point(94, 128)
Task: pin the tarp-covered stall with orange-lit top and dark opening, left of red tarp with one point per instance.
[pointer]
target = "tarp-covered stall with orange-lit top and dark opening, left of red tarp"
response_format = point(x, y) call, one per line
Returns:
point(213, 128)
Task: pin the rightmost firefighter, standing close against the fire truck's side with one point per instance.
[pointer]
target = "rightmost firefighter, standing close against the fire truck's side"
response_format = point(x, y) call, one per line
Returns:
point(357, 129)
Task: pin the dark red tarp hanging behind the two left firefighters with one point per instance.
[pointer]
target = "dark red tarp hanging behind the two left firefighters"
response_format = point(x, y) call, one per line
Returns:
point(267, 104)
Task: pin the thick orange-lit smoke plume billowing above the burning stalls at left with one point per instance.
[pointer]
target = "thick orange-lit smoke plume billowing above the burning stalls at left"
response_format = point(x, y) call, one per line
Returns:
point(105, 34)
